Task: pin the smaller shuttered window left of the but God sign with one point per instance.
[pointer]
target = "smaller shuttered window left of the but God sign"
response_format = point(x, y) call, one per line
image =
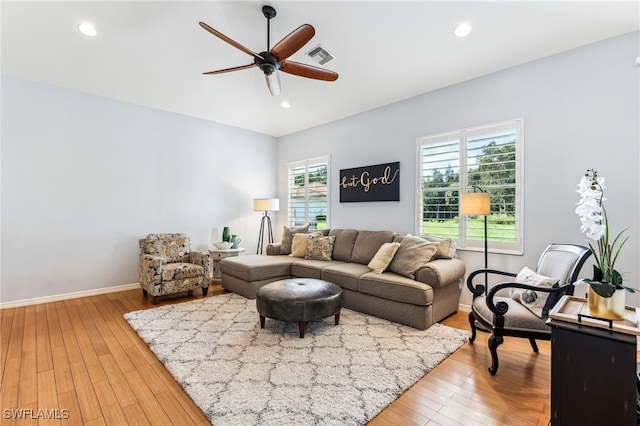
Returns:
point(308, 193)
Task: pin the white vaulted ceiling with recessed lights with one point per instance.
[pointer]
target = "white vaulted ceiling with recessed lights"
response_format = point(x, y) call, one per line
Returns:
point(154, 53)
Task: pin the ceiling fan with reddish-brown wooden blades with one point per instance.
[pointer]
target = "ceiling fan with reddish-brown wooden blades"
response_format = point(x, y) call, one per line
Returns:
point(274, 59)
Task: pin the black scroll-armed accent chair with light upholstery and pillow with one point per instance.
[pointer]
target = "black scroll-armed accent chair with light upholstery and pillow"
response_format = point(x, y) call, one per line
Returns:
point(519, 307)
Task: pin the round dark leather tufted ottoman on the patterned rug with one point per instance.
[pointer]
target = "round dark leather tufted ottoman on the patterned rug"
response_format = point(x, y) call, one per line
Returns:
point(300, 300)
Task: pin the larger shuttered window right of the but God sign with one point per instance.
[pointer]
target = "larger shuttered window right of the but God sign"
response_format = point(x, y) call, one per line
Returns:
point(483, 158)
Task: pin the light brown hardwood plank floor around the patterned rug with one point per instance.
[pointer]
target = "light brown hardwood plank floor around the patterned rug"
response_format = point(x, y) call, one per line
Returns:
point(79, 362)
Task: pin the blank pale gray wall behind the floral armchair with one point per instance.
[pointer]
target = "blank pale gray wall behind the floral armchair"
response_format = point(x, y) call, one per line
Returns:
point(83, 177)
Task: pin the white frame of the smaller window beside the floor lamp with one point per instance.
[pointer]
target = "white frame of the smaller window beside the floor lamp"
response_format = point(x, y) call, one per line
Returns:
point(307, 164)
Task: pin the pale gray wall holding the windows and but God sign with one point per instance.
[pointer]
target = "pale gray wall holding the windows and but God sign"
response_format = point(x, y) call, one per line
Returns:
point(581, 110)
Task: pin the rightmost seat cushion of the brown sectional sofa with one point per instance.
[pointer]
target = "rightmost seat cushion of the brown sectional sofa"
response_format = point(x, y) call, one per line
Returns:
point(395, 287)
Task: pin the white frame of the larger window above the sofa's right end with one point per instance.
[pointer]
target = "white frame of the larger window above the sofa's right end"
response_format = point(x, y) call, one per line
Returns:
point(463, 136)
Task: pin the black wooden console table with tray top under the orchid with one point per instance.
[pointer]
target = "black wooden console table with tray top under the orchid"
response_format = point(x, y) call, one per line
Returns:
point(593, 367)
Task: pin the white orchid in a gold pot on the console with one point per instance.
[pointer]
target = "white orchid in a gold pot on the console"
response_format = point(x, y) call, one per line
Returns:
point(606, 295)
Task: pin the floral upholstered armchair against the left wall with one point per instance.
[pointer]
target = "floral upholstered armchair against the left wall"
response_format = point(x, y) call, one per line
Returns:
point(167, 266)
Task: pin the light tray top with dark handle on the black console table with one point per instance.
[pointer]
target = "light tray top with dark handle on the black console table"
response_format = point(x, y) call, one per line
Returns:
point(574, 309)
